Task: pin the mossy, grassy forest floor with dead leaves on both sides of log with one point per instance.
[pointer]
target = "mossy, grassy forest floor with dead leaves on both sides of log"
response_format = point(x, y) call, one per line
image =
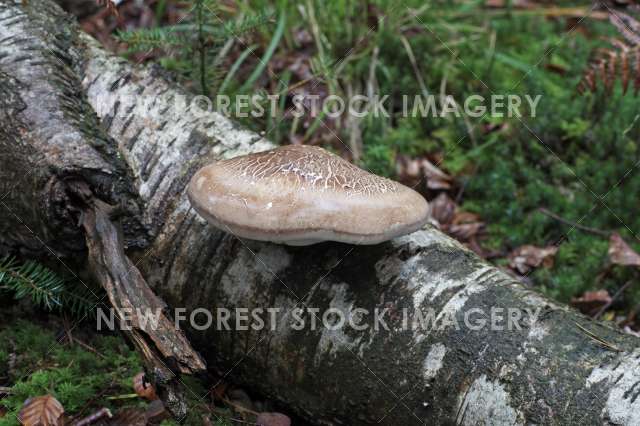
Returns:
point(551, 198)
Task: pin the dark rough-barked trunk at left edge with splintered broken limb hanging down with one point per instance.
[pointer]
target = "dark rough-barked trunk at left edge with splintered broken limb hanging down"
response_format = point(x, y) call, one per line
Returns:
point(55, 157)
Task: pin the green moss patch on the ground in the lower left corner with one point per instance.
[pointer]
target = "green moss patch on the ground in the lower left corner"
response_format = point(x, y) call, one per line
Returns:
point(71, 373)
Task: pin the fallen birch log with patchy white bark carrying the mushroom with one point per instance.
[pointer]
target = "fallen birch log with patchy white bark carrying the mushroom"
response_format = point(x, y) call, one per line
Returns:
point(558, 368)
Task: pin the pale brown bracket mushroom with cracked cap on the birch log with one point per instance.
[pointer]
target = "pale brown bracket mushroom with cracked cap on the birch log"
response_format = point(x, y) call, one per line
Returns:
point(301, 195)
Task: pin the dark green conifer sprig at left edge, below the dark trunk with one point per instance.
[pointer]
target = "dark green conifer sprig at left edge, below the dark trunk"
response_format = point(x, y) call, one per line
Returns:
point(44, 287)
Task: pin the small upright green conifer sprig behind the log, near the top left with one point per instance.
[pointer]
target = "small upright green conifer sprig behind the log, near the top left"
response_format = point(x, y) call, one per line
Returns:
point(194, 43)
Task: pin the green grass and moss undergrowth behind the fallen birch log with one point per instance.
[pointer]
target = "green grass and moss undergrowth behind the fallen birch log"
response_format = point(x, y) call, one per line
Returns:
point(576, 157)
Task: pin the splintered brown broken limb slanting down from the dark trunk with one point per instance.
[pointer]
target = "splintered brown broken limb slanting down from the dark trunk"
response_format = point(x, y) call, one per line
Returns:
point(165, 351)
